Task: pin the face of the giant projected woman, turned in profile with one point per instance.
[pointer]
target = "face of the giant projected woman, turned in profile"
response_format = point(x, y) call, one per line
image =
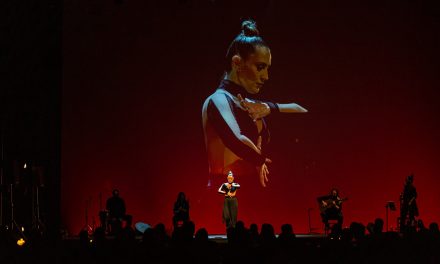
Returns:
point(253, 72)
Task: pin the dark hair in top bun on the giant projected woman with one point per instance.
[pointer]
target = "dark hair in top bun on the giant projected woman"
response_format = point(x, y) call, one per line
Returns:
point(245, 42)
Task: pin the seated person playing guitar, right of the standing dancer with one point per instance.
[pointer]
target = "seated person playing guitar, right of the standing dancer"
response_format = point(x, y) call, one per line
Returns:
point(331, 207)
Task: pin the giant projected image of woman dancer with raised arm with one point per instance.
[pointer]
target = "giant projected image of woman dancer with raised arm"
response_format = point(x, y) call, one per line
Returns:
point(235, 130)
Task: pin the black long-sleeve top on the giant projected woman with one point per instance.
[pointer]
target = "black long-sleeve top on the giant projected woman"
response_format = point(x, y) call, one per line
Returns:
point(227, 125)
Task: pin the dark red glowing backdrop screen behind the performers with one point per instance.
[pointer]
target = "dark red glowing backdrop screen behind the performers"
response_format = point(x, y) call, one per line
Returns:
point(136, 75)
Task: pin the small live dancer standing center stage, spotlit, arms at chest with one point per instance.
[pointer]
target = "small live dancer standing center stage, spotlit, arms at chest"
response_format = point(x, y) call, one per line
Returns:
point(230, 206)
